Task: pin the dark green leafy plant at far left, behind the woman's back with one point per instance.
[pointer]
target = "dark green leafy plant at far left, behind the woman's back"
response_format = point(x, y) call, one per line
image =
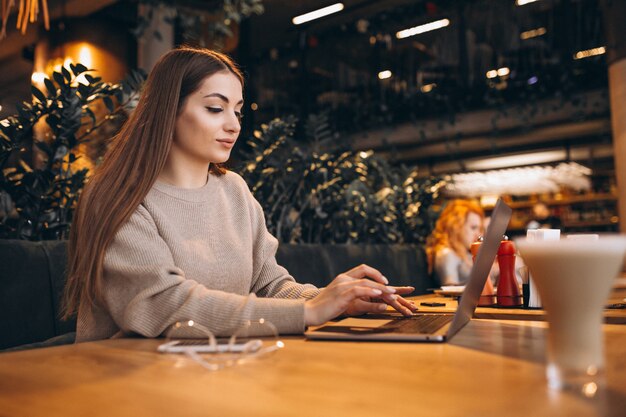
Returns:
point(39, 149)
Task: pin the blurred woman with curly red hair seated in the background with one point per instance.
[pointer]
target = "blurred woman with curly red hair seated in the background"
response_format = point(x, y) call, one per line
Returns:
point(460, 224)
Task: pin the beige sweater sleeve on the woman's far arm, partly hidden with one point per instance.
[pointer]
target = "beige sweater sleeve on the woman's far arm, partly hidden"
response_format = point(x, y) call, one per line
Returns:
point(271, 279)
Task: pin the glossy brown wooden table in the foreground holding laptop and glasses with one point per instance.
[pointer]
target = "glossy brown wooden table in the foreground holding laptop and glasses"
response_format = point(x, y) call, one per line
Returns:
point(491, 368)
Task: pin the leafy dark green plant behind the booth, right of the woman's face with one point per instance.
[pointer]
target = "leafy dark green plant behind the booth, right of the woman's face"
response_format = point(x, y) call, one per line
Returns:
point(312, 196)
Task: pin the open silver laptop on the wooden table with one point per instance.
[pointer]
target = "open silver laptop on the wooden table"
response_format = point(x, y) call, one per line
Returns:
point(429, 327)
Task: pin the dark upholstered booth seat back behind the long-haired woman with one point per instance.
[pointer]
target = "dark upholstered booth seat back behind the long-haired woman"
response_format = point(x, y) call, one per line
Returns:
point(32, 276)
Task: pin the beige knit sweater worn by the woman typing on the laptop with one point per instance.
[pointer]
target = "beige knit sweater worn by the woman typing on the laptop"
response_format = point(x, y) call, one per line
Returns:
point(201, 254)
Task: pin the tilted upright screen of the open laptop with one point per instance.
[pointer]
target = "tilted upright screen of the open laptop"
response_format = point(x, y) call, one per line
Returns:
point(482, 266)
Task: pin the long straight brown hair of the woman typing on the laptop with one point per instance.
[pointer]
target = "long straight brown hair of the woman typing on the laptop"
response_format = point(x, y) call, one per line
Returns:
point(131, 166)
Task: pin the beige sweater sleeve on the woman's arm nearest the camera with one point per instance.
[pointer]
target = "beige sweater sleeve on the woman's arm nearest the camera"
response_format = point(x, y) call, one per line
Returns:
point(145, 292)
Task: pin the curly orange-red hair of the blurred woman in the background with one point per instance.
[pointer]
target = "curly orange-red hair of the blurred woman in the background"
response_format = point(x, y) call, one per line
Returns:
point(449, 230)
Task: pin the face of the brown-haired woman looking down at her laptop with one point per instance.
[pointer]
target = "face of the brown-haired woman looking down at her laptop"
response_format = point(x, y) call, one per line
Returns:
point(209, 122)
